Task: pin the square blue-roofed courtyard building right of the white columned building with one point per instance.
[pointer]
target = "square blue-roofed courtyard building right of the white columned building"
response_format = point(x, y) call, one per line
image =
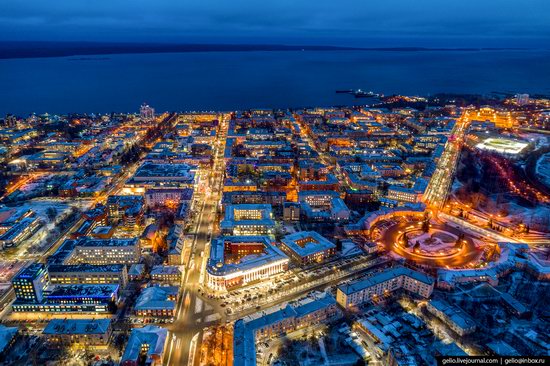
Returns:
point(306, 247)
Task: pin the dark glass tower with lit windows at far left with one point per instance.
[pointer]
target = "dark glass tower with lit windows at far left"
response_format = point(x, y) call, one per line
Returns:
point(29, 283)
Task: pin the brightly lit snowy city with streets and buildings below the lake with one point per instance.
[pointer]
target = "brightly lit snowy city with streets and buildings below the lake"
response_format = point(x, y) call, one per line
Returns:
point(385, 233)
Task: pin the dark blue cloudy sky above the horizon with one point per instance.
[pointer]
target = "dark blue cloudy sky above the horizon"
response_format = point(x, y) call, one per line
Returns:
point(442, 23)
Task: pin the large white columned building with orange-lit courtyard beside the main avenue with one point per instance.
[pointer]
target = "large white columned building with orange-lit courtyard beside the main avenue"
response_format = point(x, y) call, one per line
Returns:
point(236, 261)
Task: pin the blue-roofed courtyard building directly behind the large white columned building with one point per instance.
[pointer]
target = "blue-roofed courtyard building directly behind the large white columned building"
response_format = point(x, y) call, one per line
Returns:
point(248, 219)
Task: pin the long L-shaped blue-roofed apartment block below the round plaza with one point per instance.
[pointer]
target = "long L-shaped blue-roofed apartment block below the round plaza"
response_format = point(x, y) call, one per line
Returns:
point(383, 283)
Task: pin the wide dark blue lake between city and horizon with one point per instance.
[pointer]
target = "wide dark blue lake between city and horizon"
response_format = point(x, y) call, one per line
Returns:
point(240, 80)
